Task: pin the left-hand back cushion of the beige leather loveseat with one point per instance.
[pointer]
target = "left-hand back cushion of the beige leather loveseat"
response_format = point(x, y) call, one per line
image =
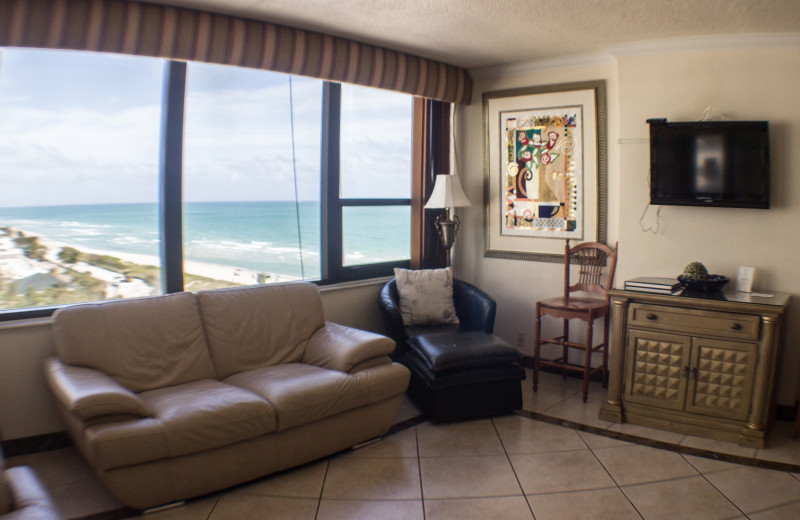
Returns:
point(142, 343)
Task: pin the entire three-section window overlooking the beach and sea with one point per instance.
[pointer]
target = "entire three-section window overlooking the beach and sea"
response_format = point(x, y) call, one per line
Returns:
point(82, 199)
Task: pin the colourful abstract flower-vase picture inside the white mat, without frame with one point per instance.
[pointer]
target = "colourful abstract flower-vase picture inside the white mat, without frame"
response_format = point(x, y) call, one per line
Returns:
point(542, 172)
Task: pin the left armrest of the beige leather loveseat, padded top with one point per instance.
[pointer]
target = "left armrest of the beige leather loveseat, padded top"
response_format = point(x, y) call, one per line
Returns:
point(89, 394)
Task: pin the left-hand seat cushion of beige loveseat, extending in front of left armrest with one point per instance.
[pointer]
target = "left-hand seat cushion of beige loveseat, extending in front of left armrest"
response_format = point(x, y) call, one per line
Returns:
point(187, 419)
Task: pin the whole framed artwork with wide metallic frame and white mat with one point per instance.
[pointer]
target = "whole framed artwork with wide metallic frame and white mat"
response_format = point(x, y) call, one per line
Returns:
point(544, 169)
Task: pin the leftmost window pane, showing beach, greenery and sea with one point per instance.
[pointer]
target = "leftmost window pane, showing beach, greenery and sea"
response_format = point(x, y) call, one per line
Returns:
point(79, 176)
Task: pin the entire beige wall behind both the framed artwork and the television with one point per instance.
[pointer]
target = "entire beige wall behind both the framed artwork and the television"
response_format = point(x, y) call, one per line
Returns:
point(758, 84)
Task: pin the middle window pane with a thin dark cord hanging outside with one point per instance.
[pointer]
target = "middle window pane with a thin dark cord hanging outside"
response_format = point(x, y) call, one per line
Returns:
point(242, 218)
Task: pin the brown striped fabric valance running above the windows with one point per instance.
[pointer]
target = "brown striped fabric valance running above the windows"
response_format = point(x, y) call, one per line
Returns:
point(144, 29)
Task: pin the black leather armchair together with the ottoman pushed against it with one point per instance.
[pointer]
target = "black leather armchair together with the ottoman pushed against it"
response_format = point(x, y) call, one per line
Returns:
point(459, 371)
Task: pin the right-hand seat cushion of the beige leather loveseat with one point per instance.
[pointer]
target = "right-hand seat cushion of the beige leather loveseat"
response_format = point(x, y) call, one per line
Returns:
point(303, 393)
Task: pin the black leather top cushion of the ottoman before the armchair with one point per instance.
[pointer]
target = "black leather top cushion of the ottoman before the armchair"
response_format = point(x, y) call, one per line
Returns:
point(446, 351)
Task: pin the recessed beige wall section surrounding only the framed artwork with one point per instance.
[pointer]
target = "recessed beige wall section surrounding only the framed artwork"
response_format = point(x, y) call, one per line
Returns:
point(516, 285)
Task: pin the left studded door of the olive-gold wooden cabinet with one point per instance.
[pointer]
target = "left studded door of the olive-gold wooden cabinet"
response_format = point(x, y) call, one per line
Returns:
point(655, 368)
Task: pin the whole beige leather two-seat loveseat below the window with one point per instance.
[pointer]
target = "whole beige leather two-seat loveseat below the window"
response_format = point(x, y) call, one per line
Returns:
point(176, 396)
